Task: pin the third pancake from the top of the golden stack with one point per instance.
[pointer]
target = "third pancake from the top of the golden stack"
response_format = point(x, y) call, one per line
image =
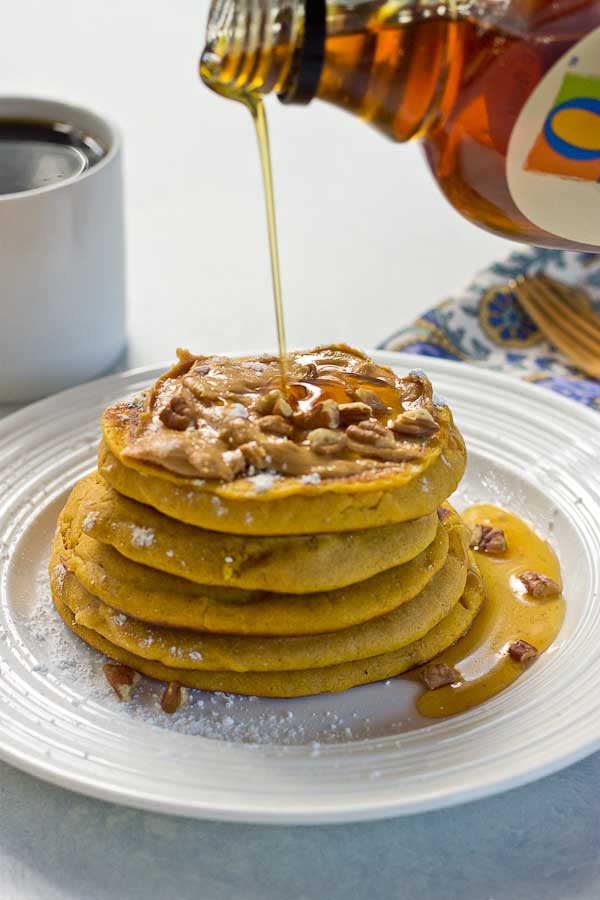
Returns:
point(163, 599)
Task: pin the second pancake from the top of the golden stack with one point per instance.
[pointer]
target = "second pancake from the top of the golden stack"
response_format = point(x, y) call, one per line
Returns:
point(290, 564)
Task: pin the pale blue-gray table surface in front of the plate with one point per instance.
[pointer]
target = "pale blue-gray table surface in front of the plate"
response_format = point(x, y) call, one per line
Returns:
point(539, 841)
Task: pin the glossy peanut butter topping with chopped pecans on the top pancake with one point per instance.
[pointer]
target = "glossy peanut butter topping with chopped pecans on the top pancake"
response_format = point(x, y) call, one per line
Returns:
point(210, 417)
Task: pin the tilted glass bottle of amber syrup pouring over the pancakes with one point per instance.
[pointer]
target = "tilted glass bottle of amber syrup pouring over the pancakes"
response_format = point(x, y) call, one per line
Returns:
point(504, 94)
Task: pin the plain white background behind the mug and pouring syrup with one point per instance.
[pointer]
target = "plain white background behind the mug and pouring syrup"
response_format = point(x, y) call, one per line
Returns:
point(367, 241)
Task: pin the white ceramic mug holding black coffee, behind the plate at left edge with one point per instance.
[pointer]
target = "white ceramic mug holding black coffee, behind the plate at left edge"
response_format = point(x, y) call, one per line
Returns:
point(62, 266)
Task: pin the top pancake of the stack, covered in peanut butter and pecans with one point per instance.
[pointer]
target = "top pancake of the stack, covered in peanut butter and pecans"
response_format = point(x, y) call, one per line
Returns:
point(348, 445)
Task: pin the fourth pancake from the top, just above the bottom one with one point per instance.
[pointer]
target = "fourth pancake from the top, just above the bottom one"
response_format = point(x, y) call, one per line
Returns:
point(217, 652)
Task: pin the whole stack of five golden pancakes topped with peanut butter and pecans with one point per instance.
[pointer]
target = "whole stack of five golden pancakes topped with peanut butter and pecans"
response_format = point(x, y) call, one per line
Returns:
point(277, 540)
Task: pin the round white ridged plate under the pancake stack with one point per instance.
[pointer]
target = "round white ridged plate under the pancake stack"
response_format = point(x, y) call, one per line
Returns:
point(363, 754)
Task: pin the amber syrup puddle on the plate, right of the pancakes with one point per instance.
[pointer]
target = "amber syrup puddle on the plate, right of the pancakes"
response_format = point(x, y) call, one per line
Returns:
point(481, 658)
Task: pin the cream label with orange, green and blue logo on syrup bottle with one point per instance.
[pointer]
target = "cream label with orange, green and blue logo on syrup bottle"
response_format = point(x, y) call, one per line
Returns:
point(553, 159)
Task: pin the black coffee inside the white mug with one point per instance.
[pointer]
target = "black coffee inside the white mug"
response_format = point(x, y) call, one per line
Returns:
point(38, 154)
